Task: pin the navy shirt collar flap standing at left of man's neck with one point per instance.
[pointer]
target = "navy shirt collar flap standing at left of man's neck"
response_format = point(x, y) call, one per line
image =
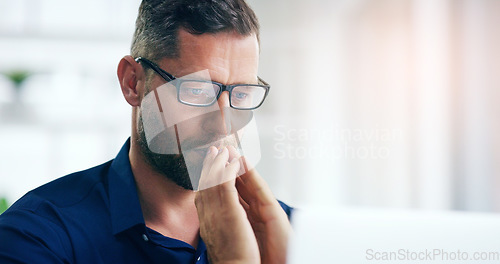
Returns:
point(125, 208)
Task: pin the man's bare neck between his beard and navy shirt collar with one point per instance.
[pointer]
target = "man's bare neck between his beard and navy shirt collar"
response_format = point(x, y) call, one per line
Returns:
point(167, 208)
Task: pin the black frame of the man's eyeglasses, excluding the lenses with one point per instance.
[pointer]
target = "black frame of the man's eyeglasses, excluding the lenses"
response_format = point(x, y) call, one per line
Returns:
point(229, 88)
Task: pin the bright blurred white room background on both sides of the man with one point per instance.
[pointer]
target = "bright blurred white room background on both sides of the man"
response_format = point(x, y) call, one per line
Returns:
point(374, 103)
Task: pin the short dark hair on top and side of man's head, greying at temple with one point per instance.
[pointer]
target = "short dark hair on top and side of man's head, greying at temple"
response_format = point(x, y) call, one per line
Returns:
point(159, 21)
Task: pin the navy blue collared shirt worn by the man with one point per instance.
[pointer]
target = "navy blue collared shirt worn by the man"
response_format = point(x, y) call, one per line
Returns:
point(93, 216)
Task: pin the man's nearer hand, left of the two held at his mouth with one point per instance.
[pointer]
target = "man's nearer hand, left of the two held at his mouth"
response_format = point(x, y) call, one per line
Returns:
point(224, 226)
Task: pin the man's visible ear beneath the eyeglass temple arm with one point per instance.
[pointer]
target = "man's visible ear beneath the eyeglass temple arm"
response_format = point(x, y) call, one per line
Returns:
point(131, 77)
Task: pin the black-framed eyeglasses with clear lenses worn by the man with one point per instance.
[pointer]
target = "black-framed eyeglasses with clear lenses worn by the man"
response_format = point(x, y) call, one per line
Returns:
point(205, 93)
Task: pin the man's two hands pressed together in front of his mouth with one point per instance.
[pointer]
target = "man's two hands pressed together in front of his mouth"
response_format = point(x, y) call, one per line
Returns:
point(241, 214)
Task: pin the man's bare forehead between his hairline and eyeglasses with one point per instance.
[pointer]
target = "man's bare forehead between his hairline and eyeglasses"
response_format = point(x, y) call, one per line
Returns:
point(228, 56)
